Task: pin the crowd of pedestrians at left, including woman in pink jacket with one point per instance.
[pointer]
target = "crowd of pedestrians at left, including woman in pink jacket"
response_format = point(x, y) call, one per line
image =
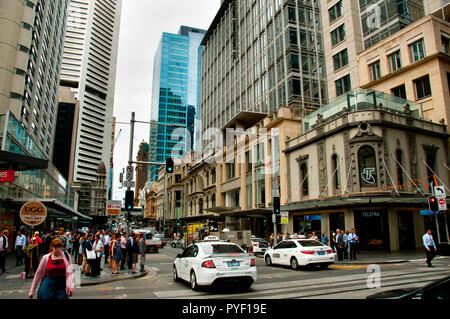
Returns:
point(49, 258)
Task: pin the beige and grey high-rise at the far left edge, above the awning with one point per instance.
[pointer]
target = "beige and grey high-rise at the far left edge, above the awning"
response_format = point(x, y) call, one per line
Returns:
point(31, 46)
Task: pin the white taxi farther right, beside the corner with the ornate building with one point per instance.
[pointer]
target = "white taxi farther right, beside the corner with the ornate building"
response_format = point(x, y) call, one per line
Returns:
point(300, 252)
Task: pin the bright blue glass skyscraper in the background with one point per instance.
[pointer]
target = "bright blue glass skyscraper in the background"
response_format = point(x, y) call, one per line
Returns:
point(175, 95)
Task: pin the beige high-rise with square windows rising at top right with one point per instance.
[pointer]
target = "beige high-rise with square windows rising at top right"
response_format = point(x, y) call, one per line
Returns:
point(351, 26)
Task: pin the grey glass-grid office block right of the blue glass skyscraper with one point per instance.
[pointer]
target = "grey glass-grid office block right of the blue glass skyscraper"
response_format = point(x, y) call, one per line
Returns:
point(261, 56)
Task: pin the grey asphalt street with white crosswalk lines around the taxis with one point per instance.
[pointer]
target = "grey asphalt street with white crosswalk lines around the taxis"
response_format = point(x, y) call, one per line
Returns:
point(340, 281)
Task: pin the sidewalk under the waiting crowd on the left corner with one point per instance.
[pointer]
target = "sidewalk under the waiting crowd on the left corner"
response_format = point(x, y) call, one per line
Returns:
point(11, 279)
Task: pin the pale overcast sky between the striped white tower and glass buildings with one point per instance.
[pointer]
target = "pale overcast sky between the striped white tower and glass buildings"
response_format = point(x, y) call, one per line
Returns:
point(142, 25)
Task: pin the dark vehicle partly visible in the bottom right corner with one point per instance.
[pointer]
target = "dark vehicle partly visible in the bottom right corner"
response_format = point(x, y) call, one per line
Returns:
point(437, 290)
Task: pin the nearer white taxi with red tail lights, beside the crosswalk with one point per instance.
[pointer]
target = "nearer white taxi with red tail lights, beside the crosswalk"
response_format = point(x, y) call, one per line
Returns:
point(213, 261)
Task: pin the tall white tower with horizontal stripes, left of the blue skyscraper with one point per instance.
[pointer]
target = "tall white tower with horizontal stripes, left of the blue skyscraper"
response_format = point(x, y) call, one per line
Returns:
point(89, 69)
